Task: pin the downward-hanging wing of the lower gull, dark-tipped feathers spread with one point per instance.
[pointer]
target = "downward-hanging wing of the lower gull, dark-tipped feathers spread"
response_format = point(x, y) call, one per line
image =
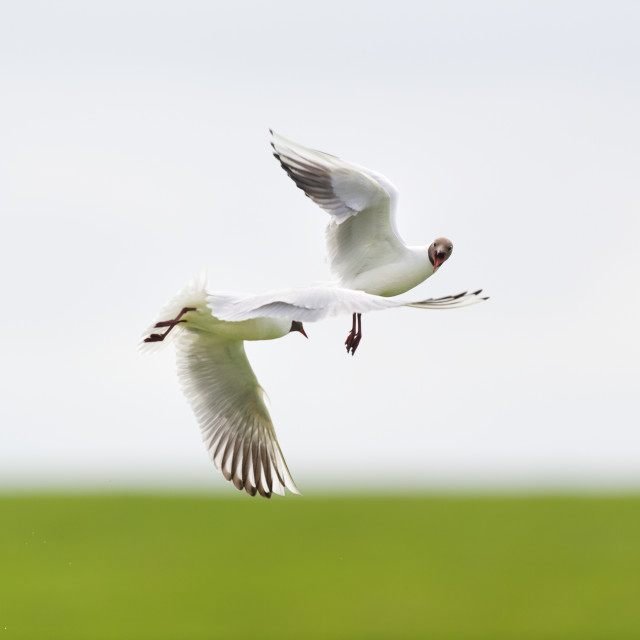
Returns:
point(229, 405)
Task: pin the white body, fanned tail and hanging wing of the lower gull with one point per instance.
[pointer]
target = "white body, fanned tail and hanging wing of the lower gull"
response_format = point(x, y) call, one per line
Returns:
point(224, 393)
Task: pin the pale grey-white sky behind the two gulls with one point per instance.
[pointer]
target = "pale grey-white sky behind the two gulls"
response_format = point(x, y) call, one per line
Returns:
point(134, 152)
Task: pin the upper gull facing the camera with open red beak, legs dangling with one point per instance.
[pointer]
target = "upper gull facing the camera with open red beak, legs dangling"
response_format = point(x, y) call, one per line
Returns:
point(365, 251)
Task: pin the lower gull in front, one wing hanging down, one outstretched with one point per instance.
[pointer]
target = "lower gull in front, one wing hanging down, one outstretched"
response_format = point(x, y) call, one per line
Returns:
point(218, 381)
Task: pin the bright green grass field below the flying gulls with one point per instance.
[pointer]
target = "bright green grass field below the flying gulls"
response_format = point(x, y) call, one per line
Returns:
point(185, 567)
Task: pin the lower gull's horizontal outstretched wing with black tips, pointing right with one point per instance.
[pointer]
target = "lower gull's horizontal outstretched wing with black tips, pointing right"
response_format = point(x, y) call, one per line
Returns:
point(315, 303)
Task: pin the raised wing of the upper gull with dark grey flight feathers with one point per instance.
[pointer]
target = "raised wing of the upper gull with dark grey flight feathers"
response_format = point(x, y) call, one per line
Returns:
point(362, 232)
